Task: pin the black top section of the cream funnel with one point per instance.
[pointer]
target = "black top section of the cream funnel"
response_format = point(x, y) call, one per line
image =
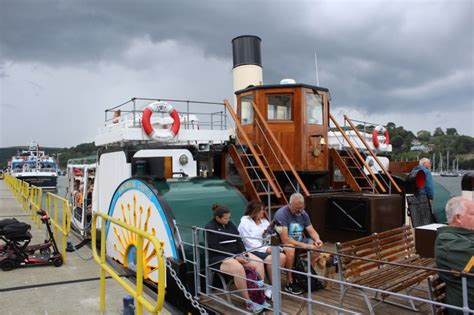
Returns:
point(246, 50)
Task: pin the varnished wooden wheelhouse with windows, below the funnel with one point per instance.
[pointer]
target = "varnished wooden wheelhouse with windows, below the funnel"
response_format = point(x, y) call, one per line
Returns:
point(297, 115)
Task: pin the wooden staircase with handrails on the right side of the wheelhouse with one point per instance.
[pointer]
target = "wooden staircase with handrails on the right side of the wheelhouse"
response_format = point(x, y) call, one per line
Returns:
point(354, 166)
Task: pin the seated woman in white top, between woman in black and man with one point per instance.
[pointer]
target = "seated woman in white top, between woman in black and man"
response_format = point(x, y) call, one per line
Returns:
point(251, 228)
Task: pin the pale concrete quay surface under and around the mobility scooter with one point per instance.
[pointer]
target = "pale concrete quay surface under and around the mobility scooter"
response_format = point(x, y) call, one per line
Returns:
point(72, 288)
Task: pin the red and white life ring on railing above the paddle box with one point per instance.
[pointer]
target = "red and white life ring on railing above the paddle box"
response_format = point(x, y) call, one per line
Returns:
point(161, 135)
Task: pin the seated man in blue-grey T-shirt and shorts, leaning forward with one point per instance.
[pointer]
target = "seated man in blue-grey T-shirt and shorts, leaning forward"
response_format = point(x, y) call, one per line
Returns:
point(295, 221)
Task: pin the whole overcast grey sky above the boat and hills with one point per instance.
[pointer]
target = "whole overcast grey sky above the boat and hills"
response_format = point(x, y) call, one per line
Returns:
point(62, 63)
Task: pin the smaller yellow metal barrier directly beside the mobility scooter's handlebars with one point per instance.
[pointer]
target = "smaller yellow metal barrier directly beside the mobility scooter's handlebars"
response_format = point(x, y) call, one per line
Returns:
point(59, 211)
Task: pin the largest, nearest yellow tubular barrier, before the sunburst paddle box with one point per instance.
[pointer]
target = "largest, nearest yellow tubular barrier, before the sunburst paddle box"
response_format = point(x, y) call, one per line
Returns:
point(137, 293)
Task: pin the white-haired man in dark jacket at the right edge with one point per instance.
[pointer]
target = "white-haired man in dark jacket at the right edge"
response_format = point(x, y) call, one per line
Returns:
point(454, 248)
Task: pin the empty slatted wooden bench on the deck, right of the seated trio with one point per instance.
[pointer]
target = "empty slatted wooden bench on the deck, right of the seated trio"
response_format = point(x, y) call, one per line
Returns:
point(395, 245)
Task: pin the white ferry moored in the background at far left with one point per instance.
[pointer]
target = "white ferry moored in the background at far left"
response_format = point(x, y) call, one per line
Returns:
point(35, 167)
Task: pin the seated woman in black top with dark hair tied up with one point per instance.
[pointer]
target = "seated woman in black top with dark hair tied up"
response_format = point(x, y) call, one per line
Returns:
point(231, 257)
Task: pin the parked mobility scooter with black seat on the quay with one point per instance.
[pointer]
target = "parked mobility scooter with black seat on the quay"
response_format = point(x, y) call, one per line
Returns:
point(16, 252)
